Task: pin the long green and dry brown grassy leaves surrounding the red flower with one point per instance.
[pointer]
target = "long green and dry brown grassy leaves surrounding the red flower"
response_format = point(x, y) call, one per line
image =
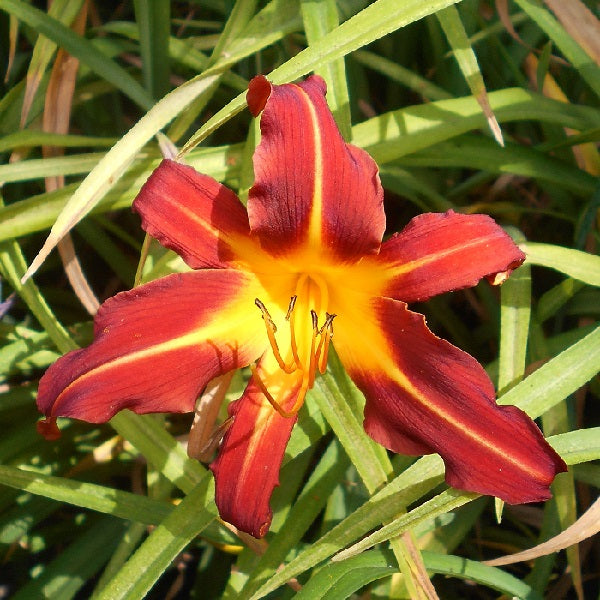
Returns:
point(119, 511)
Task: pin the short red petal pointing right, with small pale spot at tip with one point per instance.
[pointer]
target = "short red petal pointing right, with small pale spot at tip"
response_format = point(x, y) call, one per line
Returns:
point(440, 252)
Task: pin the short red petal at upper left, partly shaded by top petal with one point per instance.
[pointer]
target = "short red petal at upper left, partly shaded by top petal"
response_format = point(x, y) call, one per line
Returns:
point(193, 214)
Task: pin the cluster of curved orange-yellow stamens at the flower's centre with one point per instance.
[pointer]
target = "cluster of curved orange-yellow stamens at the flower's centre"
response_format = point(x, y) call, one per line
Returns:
point(308, 347)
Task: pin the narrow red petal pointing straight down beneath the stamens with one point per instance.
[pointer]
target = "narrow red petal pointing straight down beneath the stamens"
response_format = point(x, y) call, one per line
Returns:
point(247, 468)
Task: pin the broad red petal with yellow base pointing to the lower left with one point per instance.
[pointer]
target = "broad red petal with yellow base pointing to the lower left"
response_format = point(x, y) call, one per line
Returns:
point(157, 346)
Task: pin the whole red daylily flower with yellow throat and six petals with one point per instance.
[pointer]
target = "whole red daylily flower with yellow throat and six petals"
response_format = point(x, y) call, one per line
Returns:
point(270, 286)
